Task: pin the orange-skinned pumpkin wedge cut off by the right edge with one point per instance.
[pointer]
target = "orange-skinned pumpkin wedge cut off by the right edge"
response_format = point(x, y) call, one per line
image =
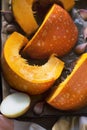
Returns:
point(72, 92)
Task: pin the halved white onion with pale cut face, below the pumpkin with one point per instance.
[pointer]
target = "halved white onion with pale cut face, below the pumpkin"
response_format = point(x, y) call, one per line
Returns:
point(15, 105)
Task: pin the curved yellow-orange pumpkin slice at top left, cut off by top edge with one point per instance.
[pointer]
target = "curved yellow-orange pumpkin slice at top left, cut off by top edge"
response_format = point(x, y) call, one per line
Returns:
point(24, 15)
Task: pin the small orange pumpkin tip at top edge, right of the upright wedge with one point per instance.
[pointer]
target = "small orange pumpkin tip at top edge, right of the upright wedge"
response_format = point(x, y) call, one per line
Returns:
point(68, 4)
